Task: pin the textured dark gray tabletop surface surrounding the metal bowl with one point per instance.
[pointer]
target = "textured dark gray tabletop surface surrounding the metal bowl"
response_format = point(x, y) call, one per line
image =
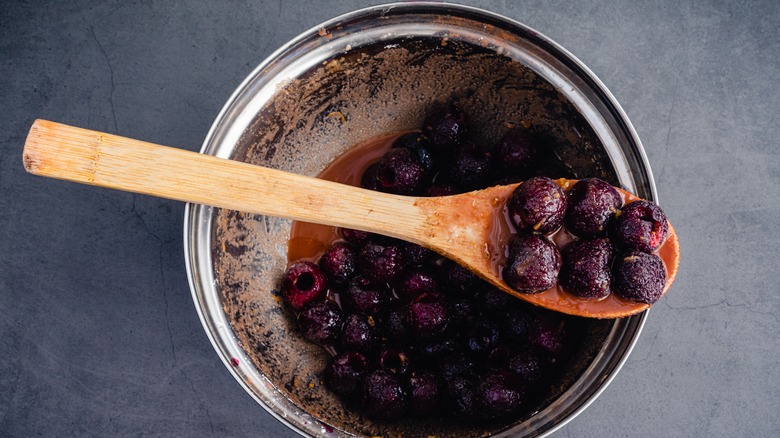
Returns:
point(98, 334)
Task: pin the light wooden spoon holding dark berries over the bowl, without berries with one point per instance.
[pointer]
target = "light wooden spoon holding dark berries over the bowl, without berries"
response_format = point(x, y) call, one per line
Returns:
point(465, 228)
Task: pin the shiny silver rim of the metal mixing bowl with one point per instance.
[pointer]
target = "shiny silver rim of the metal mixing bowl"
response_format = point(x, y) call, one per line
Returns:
point(194, 214)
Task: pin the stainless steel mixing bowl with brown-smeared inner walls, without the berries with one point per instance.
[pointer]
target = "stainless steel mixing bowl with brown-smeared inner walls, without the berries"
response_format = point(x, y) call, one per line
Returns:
point(352, 78)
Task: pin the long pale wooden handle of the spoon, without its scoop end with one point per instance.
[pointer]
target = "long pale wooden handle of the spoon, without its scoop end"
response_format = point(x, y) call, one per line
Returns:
point(74, 154)
